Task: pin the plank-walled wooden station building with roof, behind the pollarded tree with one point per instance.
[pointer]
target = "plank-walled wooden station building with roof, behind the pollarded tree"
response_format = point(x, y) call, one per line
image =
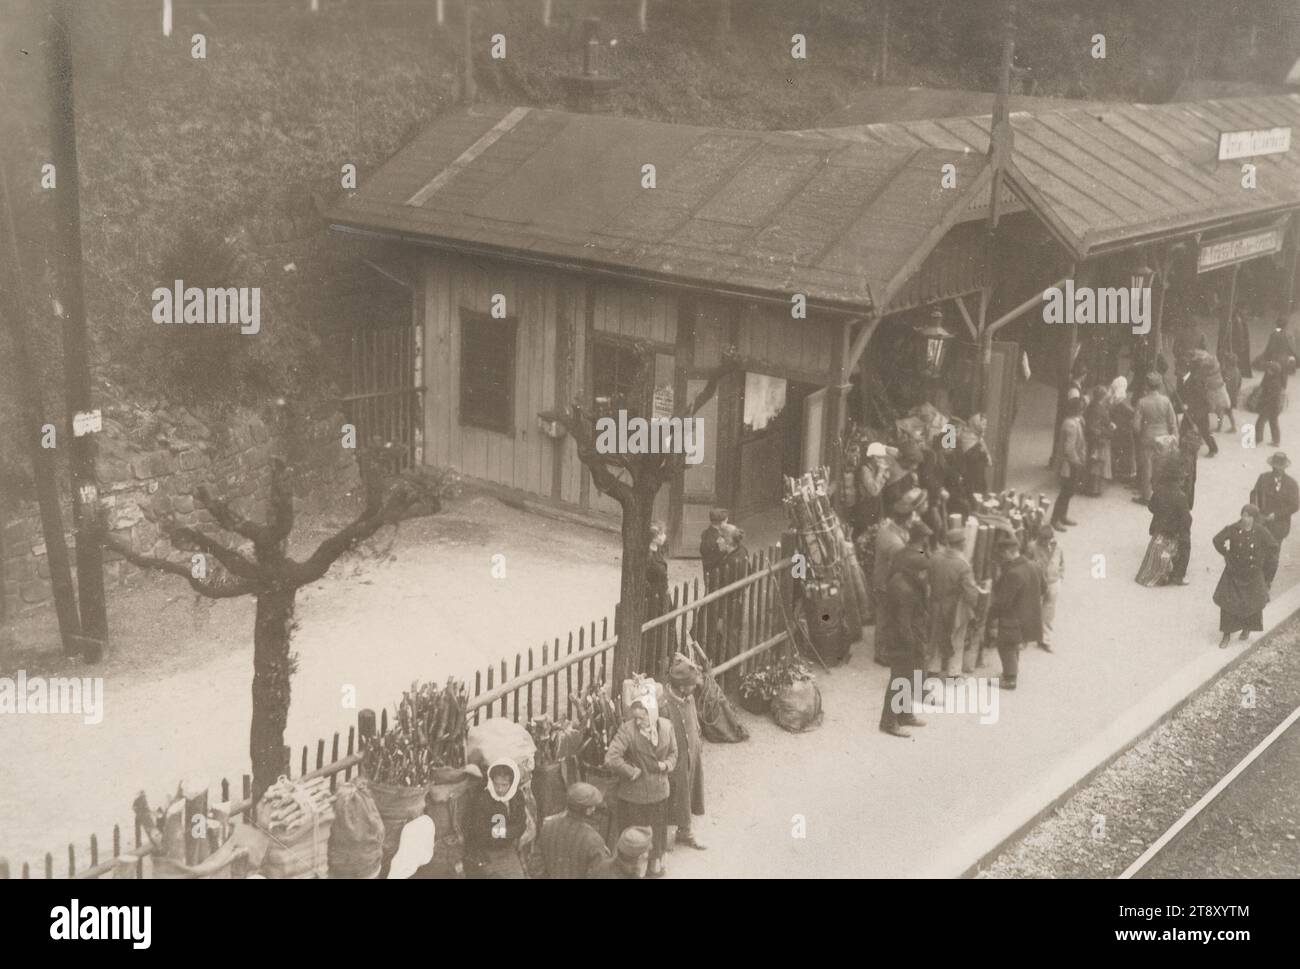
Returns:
point(558, 222)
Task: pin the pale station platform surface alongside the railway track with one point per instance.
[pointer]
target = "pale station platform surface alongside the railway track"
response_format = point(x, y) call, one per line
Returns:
point(847, 801)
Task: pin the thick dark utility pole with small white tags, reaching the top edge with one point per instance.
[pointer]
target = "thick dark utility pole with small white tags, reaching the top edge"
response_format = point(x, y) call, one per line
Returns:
point(68, 244)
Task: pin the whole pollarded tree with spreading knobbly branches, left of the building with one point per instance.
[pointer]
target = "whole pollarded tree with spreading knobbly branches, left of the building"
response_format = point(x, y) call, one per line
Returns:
point(274, 579)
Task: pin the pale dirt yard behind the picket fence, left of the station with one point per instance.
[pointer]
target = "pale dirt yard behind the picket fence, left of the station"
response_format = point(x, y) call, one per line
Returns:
point(176, 694)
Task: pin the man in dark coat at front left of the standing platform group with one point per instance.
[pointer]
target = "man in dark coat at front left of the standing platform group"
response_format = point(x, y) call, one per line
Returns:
point(905, 605)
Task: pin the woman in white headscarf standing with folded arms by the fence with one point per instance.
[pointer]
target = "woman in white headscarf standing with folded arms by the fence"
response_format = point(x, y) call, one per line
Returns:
point(644, 754)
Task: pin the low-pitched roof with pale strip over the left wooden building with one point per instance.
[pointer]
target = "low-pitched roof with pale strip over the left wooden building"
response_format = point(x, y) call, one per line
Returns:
point(751, 213)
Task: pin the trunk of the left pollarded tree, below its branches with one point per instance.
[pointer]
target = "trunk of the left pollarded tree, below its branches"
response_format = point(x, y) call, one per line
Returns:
point(272, 672)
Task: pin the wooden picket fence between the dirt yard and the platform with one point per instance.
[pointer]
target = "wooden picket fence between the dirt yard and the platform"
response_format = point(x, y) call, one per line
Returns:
point(733, 625)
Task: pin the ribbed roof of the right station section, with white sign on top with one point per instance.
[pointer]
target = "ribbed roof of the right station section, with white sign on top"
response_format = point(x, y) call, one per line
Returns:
point(1120, 175)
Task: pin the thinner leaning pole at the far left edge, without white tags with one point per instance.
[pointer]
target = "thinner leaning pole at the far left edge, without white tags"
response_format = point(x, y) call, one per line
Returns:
point(33, 409)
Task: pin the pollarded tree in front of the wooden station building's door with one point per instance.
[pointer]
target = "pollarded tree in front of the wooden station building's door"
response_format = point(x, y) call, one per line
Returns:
point(634, 478)
